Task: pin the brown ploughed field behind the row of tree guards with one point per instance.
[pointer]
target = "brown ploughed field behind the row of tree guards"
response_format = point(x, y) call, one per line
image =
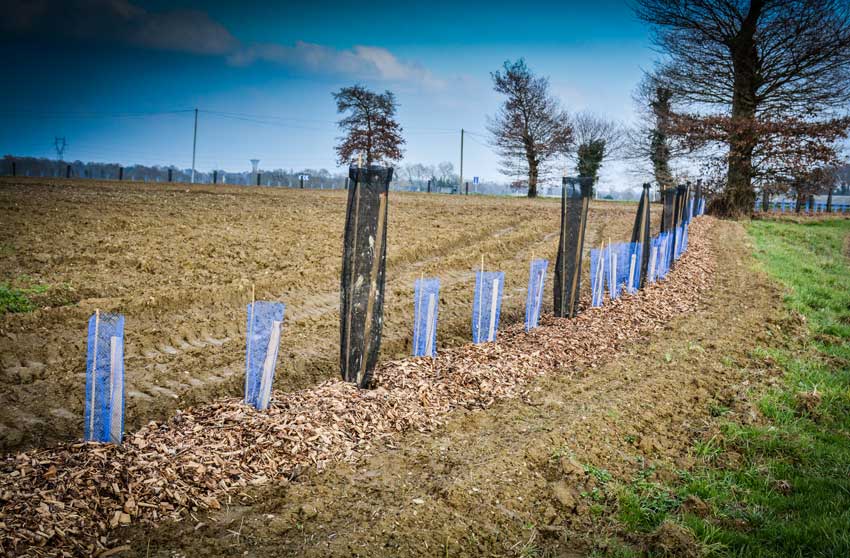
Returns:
point(179, 262)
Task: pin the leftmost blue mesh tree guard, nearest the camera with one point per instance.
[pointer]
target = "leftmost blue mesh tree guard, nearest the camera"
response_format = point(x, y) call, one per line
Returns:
point(104, 408)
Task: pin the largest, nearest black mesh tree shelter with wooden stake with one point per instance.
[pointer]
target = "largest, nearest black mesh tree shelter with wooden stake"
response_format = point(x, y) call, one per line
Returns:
point(363, 273)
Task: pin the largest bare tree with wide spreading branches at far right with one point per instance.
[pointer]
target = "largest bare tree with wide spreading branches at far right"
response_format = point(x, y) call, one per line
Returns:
point(756, 64)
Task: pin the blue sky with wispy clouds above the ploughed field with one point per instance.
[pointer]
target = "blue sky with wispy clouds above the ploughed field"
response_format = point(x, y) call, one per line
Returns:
point(95, 71)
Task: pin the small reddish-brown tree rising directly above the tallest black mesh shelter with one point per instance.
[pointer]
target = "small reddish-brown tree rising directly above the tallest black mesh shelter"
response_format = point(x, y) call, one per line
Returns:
point(370, 126)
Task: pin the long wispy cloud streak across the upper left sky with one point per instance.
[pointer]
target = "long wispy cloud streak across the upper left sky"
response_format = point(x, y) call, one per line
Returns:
point(195, 32)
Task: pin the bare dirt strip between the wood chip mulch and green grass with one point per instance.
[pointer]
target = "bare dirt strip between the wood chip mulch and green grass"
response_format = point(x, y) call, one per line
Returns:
point(513, 480)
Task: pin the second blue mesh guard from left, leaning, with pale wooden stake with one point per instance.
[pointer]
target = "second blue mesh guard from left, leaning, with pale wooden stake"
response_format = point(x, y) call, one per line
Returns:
point(262, 341)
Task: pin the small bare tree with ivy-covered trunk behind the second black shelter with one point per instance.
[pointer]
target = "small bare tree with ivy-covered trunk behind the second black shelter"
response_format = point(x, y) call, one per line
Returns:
point(597, 140)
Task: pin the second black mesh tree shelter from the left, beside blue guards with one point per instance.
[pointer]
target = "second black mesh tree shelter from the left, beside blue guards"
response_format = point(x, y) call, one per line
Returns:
point(575, 199)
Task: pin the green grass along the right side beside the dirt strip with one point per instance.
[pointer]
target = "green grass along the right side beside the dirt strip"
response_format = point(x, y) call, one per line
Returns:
point(789, 494)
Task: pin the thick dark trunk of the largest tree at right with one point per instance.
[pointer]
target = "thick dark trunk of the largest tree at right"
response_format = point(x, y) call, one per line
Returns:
point(739, 197)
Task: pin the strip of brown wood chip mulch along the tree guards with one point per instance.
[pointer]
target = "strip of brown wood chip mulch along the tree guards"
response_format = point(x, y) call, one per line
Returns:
point(70, 500)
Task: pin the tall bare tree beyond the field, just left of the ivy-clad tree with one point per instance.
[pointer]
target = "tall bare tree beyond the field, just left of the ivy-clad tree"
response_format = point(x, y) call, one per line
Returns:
point(530, 129)
